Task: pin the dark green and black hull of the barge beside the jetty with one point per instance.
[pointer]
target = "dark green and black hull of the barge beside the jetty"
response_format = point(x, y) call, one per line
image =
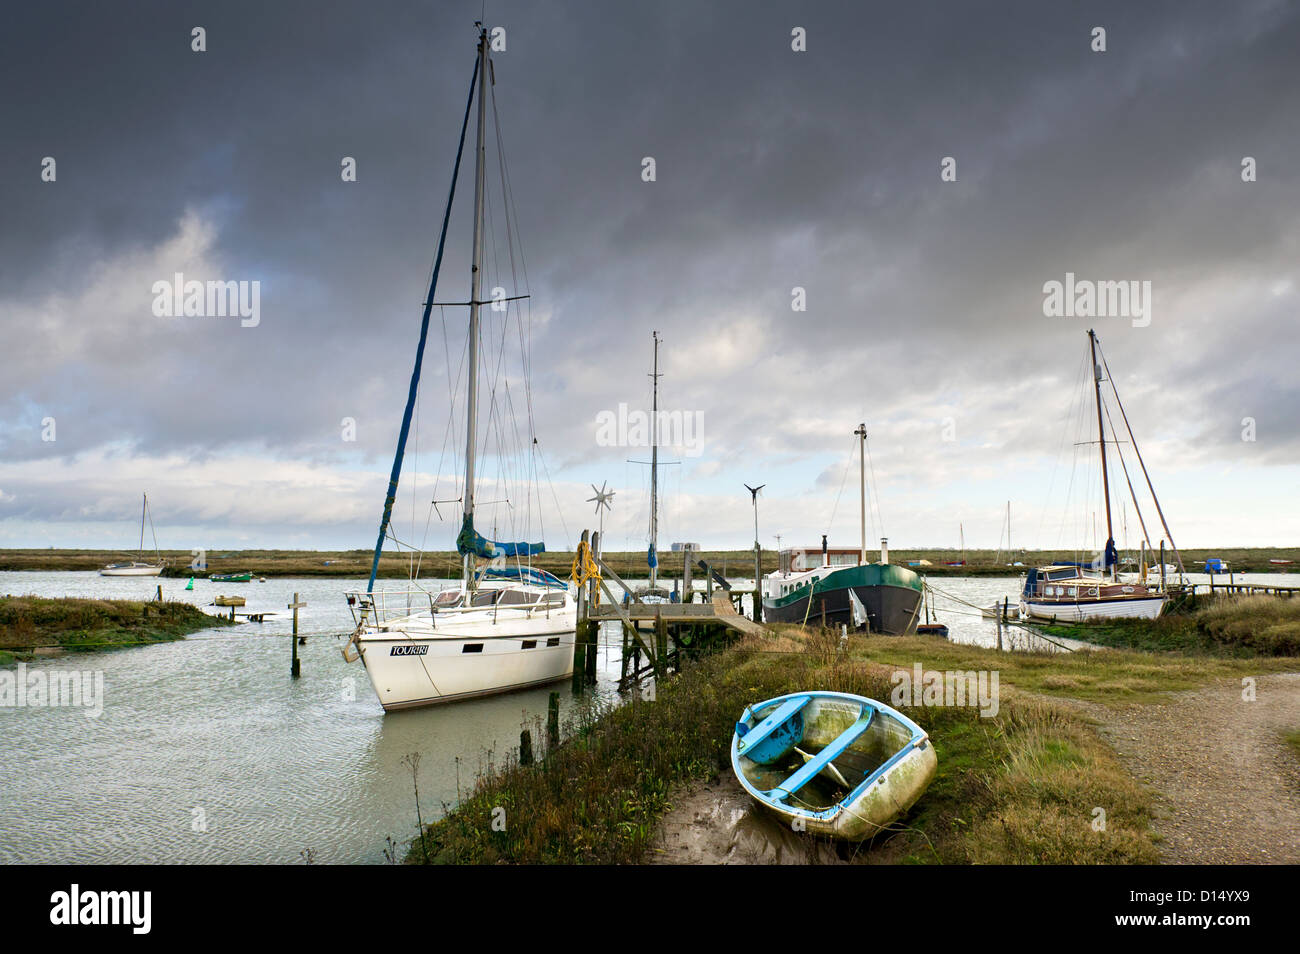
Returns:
point(891, 599)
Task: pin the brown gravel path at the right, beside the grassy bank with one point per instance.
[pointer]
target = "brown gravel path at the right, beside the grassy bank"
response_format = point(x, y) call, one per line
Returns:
point(1228, 788)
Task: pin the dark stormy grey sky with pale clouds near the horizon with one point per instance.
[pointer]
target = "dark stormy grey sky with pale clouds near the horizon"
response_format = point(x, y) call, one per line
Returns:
point(775, 170)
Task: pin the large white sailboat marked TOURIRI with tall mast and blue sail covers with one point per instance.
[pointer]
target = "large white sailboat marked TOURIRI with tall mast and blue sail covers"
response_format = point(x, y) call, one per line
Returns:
point(504, 626)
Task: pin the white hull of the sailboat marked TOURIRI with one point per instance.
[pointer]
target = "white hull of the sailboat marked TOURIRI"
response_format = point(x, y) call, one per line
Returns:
point(414, 667)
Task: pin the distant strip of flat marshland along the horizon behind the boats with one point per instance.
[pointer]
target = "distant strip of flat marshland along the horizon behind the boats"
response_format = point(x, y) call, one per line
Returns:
point(733, 563)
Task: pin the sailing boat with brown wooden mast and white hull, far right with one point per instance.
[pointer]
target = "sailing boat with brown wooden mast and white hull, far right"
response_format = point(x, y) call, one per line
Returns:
point(1069, 592)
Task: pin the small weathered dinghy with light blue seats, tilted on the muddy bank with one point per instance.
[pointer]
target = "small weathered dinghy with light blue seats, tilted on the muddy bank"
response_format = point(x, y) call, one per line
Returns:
point(833, 764)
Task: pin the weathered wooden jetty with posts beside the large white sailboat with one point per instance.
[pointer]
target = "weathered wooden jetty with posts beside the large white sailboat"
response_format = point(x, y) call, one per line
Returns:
point(677, 631)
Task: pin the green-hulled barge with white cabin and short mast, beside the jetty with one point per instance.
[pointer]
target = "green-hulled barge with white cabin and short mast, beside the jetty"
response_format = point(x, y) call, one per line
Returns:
point(843, 588)
